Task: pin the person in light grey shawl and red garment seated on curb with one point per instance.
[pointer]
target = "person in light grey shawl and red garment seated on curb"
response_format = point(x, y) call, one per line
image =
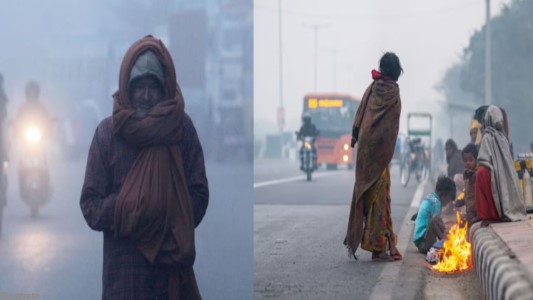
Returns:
point(497, 195)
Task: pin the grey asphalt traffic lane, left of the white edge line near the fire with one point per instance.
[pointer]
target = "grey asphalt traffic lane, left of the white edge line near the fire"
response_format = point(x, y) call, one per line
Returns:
point(299, 227)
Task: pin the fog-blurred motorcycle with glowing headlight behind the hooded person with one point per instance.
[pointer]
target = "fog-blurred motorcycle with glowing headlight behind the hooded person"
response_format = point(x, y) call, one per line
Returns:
point(33, 172)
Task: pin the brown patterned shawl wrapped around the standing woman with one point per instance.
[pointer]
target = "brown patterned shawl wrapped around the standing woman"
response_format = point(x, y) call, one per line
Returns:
point(378, 120)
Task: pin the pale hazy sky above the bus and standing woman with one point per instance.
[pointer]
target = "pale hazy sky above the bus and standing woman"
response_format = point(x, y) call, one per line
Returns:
point(428, 36)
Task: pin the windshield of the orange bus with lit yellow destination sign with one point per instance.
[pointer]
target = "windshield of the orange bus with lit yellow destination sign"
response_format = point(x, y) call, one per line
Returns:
point(331, 115)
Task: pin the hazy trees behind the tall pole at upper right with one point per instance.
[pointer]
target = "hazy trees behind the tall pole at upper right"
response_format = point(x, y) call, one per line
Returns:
point(511, 62)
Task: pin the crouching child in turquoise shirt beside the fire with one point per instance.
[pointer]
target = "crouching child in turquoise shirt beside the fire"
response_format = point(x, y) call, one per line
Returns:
point(429, 226)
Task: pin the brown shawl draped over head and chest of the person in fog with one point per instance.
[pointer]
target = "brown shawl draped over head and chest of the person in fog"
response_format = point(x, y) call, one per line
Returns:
point(154, 206)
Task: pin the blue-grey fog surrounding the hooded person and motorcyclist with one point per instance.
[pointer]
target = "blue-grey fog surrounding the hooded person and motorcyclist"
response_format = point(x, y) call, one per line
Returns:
point(73, 49)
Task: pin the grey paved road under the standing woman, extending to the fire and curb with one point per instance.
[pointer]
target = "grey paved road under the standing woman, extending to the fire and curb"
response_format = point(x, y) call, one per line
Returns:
point(298, 231)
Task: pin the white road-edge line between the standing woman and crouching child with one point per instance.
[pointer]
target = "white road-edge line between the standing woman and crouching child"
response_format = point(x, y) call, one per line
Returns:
point(387, 279)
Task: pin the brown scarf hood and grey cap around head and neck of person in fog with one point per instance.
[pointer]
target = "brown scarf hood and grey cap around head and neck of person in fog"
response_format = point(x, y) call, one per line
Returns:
point(153, 128)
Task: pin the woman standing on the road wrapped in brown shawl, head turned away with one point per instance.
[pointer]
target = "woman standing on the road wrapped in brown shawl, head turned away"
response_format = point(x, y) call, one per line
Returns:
point(375, 127)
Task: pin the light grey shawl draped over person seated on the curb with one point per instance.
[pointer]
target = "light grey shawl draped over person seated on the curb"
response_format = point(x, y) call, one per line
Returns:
point(495, 155)
